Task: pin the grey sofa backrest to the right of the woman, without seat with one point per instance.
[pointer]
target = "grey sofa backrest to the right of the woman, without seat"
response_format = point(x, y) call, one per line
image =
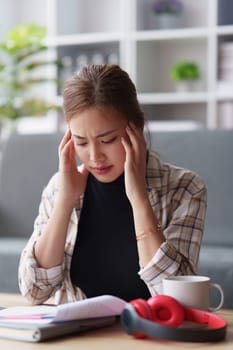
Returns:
point(207, 152)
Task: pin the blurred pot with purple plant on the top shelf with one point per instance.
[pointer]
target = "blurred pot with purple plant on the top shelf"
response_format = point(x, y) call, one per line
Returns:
point(167, 13)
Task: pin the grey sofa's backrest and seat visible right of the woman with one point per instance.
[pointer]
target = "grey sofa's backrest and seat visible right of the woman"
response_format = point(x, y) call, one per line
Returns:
point(208, 152)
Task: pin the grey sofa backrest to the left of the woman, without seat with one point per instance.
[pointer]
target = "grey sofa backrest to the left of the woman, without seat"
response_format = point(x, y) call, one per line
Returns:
point(28, 161)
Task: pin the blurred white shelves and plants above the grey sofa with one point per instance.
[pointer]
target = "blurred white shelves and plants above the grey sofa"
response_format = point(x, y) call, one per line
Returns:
point(179, 53)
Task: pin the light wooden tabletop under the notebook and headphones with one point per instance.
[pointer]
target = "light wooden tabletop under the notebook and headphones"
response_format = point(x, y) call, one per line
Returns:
point(111, 338)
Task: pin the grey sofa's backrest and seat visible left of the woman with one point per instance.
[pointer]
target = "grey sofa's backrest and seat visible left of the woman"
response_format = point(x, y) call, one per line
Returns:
point(26, 164)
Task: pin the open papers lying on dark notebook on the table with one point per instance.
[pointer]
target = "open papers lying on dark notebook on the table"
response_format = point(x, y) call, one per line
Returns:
point(42, 322)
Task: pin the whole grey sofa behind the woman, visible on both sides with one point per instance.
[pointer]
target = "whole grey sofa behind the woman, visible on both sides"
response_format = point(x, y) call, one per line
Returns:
point(28, 161)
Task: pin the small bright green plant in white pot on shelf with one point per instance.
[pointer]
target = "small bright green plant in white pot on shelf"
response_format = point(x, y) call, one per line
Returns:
point(185, 74)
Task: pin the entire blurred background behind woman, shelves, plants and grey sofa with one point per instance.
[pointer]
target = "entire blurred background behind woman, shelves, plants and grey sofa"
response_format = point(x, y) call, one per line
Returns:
point(179, 53)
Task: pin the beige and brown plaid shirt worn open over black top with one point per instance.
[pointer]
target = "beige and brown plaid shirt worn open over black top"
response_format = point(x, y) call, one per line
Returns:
point(178, 199)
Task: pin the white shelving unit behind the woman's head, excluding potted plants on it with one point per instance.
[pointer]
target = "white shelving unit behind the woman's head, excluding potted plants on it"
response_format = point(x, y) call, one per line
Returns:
point(125, 31)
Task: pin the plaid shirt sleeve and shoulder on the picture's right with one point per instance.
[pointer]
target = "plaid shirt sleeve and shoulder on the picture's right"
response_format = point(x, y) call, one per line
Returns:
point(179, 199)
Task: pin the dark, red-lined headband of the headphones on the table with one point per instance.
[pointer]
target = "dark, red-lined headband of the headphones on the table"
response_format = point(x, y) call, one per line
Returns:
point(132, 323)
